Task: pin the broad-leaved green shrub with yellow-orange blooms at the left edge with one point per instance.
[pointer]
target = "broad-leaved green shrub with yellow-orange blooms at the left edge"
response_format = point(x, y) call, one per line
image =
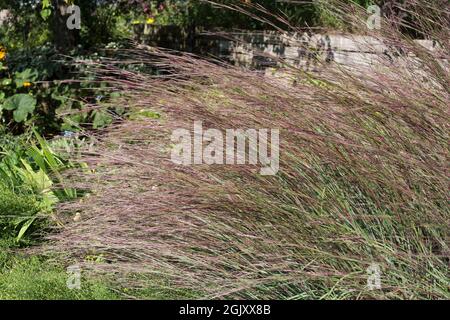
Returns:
point(36, 90)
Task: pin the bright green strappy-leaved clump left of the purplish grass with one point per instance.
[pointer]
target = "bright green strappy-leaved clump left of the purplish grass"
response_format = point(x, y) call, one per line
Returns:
point(29, 191)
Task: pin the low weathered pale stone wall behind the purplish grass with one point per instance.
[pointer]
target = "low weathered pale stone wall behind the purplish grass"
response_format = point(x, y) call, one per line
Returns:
point(261, 50)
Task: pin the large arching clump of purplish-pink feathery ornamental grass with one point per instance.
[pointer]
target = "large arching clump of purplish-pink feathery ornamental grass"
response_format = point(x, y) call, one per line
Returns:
point(362, 179)
